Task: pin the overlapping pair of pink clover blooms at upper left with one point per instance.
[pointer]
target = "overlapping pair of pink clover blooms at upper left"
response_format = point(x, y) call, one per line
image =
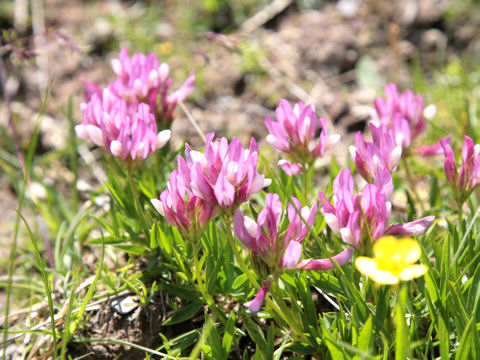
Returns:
point(125, 116)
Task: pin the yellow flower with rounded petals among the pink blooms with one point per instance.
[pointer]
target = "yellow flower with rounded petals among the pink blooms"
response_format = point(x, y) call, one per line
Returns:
point(393, 261)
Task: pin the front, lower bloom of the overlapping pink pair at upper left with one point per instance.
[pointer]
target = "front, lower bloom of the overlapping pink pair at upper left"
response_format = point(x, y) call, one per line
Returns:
point(127, 131)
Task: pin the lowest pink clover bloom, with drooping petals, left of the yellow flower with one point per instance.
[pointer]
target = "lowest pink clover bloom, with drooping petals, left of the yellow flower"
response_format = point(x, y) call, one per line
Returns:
point(274, 251)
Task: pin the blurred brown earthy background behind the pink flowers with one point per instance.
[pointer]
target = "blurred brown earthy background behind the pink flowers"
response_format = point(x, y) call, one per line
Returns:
point(248, 54)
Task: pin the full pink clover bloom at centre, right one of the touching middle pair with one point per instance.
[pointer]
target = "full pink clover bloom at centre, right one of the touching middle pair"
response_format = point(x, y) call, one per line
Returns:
point(224, 175)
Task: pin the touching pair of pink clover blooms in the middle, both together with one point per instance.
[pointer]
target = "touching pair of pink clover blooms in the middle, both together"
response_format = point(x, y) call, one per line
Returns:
point(217, 180)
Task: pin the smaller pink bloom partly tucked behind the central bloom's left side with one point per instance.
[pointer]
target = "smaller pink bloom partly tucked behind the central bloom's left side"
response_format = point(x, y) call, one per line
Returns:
point(181, 208)
